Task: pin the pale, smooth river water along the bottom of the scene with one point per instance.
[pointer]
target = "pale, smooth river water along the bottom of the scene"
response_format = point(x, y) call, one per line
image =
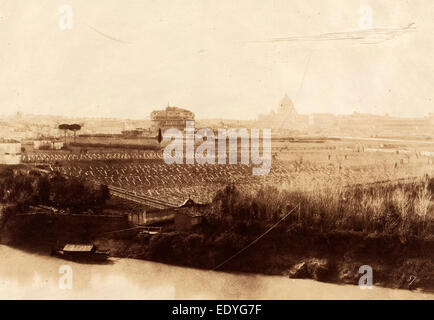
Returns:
point(25, 275)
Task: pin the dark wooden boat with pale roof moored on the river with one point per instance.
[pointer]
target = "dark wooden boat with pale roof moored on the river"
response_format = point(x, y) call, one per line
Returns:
point(81, 252)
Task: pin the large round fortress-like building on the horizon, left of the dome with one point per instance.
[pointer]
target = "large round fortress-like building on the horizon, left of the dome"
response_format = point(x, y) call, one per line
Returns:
point(171, 117)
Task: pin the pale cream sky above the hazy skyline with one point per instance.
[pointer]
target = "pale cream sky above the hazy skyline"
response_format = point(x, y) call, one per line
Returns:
point(127, 58)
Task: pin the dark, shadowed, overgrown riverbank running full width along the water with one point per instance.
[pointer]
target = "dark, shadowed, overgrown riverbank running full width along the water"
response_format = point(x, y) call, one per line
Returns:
point(289, 250)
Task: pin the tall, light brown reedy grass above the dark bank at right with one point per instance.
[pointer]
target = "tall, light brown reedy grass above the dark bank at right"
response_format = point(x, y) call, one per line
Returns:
point(402, 209)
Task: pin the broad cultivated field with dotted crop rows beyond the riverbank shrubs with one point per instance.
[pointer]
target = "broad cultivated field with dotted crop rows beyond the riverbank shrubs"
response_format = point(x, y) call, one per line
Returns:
point(300, 166)
